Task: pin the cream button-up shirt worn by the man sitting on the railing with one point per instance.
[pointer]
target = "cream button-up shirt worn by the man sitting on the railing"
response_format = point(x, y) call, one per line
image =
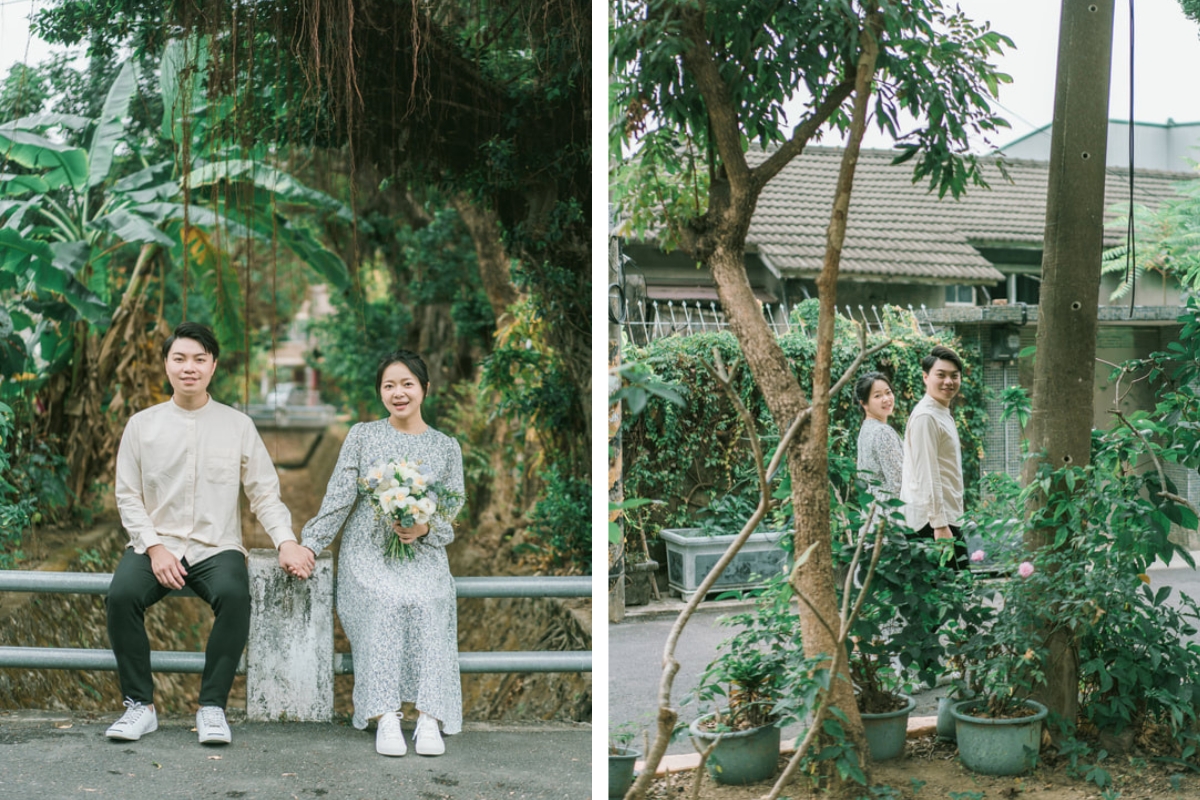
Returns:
point(178, 478)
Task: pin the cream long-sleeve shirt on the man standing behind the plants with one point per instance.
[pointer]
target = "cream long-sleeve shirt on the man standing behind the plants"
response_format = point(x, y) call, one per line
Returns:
point(932, 480)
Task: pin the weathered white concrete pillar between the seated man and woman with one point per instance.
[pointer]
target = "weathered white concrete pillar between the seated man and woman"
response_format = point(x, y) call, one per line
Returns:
point(290, 658)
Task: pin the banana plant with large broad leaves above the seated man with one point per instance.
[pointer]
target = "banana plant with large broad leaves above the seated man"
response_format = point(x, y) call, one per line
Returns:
point(73, 212)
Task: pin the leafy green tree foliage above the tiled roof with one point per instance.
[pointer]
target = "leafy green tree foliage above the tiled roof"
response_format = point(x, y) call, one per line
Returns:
point(933, 65)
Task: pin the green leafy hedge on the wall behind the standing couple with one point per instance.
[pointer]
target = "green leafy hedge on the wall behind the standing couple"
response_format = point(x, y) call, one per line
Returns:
point(693, 455)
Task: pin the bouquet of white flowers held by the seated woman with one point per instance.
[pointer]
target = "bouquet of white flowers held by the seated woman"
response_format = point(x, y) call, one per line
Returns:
point(401, 492)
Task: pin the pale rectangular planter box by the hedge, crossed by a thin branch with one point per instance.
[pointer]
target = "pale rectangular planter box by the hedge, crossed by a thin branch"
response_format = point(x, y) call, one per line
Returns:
point(692, 557)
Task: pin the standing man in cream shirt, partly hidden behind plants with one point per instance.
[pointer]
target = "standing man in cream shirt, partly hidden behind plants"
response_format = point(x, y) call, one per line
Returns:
point(932, 480)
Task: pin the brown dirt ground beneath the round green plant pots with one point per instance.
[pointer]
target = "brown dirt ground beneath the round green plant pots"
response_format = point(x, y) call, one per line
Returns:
point(931, 771)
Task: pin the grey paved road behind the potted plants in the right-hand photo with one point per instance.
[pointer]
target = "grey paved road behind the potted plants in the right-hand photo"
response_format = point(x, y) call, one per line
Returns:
point(635, 653)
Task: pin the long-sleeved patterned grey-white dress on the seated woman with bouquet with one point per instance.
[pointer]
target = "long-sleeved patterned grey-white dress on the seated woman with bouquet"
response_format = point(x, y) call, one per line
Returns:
point(399, 615)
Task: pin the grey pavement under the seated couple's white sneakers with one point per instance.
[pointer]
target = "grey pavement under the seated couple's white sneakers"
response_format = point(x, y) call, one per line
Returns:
point(46, 756)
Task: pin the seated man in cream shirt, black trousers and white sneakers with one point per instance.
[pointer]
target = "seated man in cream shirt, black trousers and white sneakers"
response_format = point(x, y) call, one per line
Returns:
point(178, 476)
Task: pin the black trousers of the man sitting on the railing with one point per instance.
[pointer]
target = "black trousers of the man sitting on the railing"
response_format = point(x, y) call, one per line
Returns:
point(221, 581)
